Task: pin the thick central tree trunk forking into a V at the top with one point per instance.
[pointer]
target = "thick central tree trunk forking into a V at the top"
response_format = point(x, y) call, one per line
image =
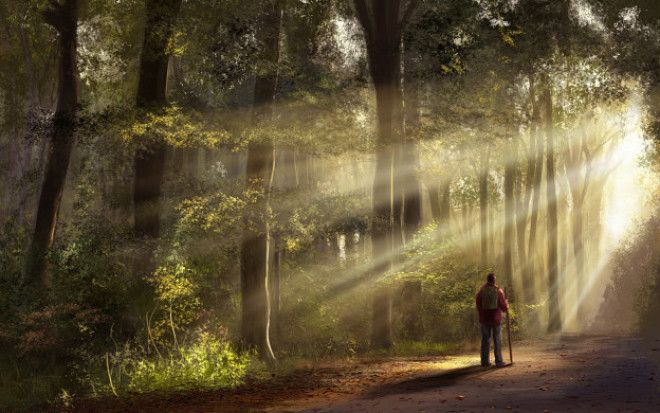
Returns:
point(382, 22)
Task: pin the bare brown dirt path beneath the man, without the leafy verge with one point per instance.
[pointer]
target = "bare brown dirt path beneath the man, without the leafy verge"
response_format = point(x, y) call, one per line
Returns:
point(575, 375)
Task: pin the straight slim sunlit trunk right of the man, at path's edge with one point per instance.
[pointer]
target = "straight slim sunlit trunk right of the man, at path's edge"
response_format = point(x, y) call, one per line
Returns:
point(554, 320)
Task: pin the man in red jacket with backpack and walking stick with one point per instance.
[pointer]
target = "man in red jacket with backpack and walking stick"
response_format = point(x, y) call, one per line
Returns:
point(490, 304)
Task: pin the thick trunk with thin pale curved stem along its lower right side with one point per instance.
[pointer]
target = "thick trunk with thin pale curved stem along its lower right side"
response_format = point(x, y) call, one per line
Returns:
point(256, 243)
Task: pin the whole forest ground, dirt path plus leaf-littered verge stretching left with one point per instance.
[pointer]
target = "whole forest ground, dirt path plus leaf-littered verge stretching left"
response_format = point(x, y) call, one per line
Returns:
point(568, 374)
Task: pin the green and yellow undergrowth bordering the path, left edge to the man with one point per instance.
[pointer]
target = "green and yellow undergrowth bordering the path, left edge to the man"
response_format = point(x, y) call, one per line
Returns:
point(106, 327)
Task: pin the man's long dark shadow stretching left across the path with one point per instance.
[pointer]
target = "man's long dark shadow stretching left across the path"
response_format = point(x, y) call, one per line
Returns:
point(418, 384)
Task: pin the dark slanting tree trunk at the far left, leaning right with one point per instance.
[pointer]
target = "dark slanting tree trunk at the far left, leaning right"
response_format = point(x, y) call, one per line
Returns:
point(64, 18)
